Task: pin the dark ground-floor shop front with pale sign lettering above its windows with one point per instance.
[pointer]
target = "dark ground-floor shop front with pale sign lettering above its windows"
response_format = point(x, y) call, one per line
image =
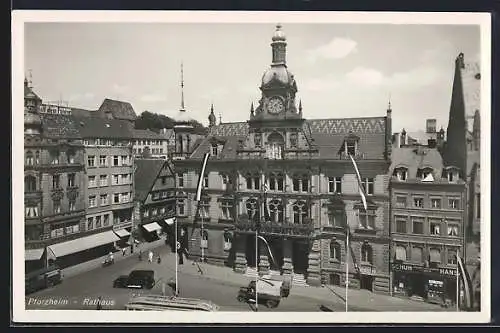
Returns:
point(437, 285)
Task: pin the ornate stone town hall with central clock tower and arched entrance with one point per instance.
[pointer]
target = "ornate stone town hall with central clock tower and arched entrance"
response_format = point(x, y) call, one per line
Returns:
point(298, 171)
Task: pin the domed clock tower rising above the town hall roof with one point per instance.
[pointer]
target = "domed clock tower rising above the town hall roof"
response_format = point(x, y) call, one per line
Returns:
point(278, 87)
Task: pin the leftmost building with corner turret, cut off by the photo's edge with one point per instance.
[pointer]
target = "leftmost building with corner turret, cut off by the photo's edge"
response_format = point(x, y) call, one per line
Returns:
point(54, 190)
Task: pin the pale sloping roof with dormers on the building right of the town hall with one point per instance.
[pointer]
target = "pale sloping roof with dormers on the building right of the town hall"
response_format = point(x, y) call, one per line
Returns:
point(414, 158)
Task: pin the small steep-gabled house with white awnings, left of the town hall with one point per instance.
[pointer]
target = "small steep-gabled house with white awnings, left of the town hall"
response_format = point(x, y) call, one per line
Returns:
point(155, 199)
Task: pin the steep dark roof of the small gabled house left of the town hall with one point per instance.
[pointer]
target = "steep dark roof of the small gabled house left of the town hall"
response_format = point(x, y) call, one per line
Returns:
point(146, 172)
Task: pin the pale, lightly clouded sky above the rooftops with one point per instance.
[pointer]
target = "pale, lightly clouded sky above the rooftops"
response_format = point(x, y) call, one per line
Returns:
point(342, 70)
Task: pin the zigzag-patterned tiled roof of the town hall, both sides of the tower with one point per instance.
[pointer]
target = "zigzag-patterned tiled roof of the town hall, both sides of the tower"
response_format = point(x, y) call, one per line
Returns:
point(325, 134)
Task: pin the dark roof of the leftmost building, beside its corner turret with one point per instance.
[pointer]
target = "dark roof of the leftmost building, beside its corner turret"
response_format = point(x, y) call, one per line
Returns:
point(60, 126)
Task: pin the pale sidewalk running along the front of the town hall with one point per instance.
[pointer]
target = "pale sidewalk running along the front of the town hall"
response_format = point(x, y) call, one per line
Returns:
point(329, 294)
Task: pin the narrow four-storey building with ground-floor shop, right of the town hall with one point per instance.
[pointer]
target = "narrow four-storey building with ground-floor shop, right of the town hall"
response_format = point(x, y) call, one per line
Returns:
point(428, 205)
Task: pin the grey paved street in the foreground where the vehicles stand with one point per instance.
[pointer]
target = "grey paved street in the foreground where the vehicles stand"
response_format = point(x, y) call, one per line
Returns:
point(82, 291)
